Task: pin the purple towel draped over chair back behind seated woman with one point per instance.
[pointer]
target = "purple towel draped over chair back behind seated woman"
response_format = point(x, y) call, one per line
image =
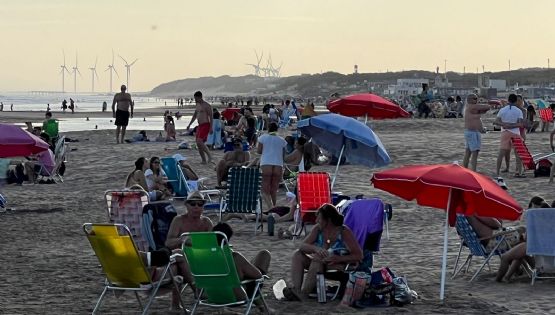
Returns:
point(365, 217)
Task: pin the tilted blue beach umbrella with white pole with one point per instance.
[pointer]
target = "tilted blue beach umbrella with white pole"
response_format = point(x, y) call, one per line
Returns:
point(345, 136)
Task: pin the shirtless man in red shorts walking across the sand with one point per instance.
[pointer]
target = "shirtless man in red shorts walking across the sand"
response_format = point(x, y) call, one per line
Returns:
point(203, 113)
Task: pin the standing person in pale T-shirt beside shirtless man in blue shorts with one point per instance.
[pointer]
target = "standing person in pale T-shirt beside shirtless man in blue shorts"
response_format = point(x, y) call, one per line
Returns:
point(510, 119)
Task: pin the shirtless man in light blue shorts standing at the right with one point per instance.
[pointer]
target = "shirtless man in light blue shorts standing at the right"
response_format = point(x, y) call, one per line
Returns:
point(473, 130)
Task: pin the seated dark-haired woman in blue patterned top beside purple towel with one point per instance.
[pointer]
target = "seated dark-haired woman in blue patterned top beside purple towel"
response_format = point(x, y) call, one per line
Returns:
point(330, 245)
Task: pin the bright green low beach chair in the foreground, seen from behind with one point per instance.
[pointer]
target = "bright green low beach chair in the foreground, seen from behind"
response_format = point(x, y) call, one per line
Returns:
point(213, 267)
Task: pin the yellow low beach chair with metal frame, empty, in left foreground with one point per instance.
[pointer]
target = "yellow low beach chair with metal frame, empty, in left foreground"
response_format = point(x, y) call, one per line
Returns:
point(122, 264)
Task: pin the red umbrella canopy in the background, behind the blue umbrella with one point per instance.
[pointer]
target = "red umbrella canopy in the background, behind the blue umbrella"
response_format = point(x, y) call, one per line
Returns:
point(369, 105)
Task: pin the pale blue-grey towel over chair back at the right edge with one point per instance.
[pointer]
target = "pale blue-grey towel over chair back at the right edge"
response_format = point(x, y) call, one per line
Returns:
point(540, 232)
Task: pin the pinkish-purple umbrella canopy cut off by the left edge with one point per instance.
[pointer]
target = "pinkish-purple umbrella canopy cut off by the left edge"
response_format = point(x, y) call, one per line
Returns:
point(15, 141)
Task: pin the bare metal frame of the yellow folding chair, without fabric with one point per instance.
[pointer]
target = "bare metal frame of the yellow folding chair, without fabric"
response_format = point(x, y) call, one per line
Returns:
point(152, 287)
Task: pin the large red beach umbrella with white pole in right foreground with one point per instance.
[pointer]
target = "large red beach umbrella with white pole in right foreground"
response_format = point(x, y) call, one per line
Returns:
point(453, 188)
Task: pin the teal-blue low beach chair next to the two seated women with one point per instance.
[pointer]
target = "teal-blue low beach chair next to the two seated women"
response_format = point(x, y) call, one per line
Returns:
point(180, 184)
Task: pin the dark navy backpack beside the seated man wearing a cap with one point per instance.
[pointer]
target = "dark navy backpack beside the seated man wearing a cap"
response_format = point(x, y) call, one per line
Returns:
point(157, 218)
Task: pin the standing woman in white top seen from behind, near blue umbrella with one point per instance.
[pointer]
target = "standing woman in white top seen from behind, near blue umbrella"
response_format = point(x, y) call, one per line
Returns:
point(272, 148)
